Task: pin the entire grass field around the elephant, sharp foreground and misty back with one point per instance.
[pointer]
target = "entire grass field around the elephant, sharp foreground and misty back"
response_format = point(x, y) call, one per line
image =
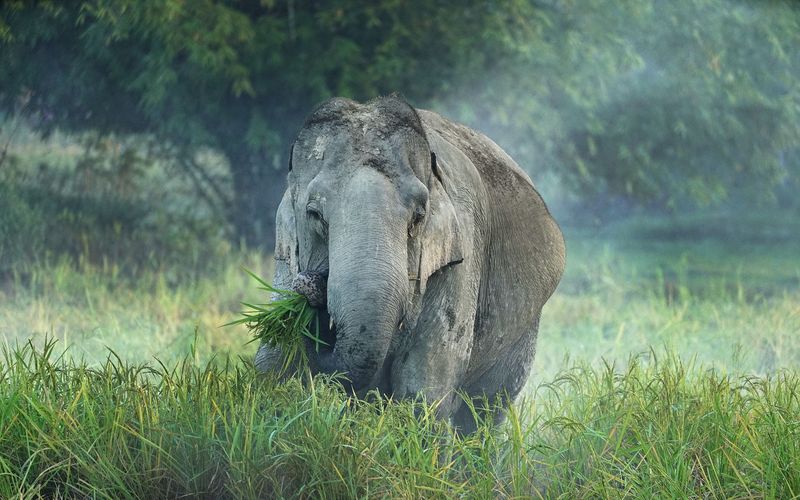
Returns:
point(666, 366)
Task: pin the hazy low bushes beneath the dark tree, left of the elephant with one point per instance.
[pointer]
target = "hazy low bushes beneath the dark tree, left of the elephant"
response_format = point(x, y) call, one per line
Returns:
point(109, 201)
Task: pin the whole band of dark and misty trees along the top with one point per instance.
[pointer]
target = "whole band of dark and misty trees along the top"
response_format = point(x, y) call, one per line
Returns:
point(647, 103)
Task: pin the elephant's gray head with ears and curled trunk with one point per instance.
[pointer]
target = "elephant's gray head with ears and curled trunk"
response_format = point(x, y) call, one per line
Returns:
point(367, 207)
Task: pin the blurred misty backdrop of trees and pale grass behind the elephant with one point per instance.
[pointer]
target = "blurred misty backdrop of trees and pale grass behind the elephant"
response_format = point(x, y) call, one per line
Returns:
point(143, 152)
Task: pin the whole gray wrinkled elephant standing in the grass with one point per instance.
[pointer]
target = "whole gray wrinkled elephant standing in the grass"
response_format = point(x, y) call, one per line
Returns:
point(438, 250)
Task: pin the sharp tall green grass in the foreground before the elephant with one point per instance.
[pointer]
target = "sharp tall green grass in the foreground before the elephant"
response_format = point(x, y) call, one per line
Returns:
point(655, 428)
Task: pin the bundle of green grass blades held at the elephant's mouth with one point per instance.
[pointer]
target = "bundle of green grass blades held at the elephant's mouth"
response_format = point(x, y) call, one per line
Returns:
point(282, 322)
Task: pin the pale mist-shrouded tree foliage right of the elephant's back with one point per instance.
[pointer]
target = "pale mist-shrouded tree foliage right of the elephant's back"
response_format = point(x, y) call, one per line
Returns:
point(662, 103)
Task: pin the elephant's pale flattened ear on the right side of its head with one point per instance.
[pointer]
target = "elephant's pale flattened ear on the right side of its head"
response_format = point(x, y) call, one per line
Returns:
point(439, 245)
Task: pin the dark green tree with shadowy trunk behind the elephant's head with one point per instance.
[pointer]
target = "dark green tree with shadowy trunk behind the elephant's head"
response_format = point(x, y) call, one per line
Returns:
point(235, 76)
